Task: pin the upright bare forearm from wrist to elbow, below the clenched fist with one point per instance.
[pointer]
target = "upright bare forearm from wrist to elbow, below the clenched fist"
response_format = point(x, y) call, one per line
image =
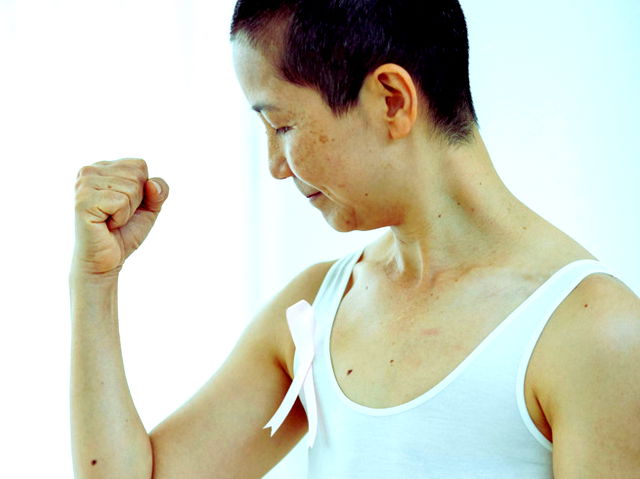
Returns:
point(108, 438)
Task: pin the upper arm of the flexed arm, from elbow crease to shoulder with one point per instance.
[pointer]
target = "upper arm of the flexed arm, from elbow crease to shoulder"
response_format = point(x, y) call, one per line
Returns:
point(219, 431)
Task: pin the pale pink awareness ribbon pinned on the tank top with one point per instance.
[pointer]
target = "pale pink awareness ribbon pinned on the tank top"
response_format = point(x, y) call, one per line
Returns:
point(300, 320)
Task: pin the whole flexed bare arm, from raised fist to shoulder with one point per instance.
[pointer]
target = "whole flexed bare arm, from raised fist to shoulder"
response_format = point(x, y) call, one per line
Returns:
point(219, 431)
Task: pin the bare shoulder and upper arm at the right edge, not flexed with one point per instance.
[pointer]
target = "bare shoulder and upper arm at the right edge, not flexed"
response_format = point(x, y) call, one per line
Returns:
point(593, 399)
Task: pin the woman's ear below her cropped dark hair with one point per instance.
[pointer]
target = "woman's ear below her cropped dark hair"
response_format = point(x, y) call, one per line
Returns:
point(394, 87)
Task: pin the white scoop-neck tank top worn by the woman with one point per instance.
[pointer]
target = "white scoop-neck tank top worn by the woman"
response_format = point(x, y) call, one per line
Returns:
point(473, 424)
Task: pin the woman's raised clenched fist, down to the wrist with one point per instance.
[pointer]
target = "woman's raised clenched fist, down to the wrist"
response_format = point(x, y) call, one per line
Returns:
point(116, 206)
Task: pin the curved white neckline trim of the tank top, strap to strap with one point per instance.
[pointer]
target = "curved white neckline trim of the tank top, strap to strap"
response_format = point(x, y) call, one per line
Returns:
point(452, 375)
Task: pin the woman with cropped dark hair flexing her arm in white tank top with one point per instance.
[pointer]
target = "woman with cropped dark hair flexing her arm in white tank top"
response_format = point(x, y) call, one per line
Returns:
point(462, 343)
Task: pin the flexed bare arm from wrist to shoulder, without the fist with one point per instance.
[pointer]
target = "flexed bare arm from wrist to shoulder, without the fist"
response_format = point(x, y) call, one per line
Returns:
point(218, 432)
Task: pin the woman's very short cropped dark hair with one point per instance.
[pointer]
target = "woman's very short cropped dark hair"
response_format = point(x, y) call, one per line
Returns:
point(332, 45)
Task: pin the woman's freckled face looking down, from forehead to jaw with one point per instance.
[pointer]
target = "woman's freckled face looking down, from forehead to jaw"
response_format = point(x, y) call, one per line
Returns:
point(337, 159)
